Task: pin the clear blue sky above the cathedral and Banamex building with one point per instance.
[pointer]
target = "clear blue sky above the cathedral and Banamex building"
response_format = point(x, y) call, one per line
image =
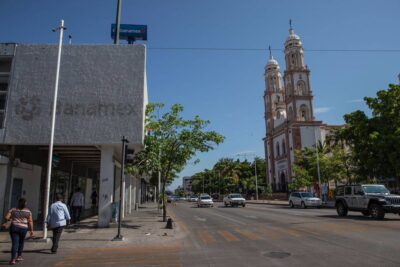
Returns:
point(226, 85)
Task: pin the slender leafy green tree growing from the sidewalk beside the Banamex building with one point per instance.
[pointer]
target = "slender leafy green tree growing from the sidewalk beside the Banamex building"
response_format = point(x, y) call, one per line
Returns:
point(172, 142)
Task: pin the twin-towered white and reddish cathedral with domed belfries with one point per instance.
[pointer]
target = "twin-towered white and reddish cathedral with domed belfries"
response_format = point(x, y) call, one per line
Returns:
point(289, 113)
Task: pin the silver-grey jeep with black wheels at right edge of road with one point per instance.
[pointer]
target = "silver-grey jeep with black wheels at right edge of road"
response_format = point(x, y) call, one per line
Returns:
point(370, 199)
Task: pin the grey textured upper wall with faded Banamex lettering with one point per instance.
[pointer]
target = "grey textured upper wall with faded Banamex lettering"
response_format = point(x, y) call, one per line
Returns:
point(102, 95)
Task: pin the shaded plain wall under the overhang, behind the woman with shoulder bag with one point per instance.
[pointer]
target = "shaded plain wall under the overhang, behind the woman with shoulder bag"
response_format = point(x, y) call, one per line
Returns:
point(30, 174)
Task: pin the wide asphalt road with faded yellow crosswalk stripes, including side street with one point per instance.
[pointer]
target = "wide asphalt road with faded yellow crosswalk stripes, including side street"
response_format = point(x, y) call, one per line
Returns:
point(257, 235)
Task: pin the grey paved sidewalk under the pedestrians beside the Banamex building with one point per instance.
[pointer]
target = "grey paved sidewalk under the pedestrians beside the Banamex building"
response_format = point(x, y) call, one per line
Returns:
point(143, 226)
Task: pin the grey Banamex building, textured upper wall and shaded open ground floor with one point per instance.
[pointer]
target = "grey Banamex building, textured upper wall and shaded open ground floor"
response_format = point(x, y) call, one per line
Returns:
point(102, 97)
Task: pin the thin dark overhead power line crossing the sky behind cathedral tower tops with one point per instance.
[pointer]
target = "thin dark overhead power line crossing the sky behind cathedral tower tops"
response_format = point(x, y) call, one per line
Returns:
point(266, 49)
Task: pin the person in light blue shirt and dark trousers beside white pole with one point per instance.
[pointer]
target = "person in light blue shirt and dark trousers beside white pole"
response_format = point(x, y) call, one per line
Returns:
point(57, 220)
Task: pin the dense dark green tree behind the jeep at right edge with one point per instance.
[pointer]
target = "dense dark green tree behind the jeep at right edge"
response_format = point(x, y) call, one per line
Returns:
point(375, 141)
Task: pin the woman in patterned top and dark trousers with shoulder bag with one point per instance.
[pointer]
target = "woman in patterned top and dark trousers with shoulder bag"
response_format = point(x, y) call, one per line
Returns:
point(21, 223)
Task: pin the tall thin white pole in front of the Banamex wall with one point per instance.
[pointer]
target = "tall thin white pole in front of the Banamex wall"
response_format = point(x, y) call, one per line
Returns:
point(60, 29)
